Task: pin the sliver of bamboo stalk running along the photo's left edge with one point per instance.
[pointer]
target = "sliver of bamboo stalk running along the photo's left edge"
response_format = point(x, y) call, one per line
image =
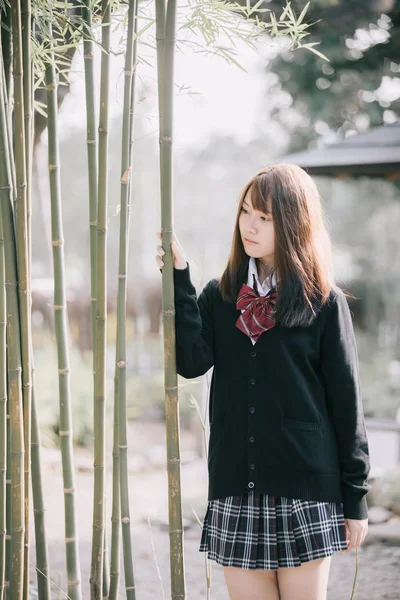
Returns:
point(3, 414)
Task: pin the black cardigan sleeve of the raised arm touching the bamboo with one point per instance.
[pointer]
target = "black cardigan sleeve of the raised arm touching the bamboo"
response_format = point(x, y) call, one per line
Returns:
point(194, 328)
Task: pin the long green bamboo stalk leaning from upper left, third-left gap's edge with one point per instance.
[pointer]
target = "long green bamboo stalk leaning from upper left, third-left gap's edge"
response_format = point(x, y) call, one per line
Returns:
point(61, 331)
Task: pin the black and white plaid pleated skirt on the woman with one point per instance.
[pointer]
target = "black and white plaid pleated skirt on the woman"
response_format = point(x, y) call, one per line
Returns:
point(259, 531)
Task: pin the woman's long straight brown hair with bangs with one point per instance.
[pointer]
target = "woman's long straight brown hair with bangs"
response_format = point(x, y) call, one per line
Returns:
point(302, 254)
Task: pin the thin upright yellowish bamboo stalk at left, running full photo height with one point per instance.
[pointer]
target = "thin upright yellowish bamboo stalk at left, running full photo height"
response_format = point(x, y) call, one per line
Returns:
point(26, 377)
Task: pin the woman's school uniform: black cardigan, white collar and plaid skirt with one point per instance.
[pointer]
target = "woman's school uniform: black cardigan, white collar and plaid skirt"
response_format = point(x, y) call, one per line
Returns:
point(288, 456)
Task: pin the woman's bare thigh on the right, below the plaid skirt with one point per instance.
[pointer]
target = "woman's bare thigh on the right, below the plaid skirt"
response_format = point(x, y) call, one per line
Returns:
point(308, 582)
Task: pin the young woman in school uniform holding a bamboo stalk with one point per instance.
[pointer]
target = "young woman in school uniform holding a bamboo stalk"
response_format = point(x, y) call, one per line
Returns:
point(288, 456)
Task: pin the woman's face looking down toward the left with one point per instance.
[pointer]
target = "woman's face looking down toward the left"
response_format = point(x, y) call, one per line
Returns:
point(257, 227)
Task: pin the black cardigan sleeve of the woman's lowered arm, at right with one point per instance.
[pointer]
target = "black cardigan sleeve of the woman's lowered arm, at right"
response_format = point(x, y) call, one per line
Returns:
point(339, 365)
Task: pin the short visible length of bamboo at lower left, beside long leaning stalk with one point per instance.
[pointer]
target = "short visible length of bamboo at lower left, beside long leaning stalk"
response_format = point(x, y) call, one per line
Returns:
point(42, 558)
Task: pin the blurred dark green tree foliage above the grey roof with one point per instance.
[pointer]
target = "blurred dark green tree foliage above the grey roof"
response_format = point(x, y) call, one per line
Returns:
point(359, 87)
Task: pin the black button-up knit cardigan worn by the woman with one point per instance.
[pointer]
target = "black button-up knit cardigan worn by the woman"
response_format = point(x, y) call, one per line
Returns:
point(286, 415)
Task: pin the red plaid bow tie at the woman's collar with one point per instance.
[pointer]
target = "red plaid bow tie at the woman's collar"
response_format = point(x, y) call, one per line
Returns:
point(256, 317)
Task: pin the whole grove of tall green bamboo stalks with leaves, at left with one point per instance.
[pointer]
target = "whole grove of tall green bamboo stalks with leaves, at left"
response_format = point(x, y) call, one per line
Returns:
point(36, 36)
